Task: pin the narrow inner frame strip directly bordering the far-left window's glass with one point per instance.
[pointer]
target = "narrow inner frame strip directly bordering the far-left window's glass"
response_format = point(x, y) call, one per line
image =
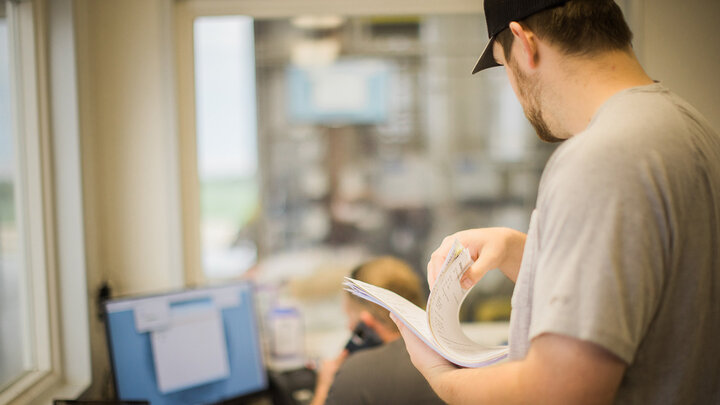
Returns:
point(30, 192)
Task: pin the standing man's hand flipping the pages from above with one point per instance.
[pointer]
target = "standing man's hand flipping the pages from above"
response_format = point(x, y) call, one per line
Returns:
point(490, 248)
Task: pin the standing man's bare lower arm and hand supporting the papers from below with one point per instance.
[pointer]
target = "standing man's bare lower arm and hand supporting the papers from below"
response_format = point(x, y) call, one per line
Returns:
point(557, 370)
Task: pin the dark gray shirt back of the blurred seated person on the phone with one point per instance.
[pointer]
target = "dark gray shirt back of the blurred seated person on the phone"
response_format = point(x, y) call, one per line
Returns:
point(382, 375)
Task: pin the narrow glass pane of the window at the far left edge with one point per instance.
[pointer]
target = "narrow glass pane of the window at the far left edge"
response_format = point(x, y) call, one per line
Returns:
point(14, 342)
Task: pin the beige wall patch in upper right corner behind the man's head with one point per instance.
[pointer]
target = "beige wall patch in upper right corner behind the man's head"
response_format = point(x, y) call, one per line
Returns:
point(680, 47)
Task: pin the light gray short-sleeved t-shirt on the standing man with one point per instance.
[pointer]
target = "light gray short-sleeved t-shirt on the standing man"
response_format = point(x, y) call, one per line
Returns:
point(623, 248)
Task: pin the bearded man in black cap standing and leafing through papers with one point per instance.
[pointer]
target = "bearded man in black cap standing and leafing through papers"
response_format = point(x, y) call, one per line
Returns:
point(617, 281)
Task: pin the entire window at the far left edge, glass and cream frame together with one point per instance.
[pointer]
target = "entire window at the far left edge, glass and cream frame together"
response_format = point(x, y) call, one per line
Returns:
point(35, 296)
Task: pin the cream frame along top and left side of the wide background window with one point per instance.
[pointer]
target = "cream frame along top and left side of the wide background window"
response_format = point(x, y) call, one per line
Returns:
point(185, 12)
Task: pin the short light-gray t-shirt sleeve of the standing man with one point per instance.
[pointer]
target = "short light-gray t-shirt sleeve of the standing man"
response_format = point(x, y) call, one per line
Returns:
point(602, 248)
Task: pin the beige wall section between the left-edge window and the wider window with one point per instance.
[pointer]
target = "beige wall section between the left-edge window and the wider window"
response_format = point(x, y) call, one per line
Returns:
point(129, 153)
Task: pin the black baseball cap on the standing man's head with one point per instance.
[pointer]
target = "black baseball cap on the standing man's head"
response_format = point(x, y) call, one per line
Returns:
point(500, 13)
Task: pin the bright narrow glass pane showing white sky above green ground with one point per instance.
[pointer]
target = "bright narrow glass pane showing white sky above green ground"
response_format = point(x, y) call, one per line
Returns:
point(226, 143)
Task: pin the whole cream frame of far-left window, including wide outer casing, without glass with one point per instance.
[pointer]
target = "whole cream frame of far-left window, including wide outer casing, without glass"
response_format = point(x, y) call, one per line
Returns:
point(47, 216)
